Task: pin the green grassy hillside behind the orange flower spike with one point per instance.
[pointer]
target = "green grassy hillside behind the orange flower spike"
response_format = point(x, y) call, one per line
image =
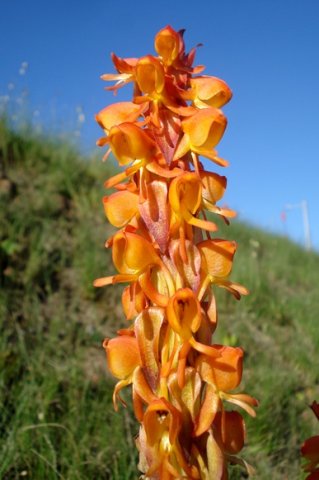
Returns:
point(57, 419)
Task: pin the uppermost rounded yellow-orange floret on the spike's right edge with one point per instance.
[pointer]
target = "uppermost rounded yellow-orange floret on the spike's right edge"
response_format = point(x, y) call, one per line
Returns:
point(209, 92)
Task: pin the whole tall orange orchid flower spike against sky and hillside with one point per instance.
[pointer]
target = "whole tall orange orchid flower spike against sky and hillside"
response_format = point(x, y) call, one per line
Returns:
point(165, 251)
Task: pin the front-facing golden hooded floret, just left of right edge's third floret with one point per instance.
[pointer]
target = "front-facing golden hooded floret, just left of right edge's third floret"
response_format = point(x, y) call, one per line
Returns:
point(185, 197)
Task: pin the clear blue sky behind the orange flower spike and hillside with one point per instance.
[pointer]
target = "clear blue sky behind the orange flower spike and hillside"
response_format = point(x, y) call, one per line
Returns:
point(267, 51)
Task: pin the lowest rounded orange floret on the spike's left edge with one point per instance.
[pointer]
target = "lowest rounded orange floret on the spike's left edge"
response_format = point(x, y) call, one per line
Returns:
point(123, 358)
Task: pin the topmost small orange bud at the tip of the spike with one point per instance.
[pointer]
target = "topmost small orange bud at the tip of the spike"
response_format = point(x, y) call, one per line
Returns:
point(168, 44)
